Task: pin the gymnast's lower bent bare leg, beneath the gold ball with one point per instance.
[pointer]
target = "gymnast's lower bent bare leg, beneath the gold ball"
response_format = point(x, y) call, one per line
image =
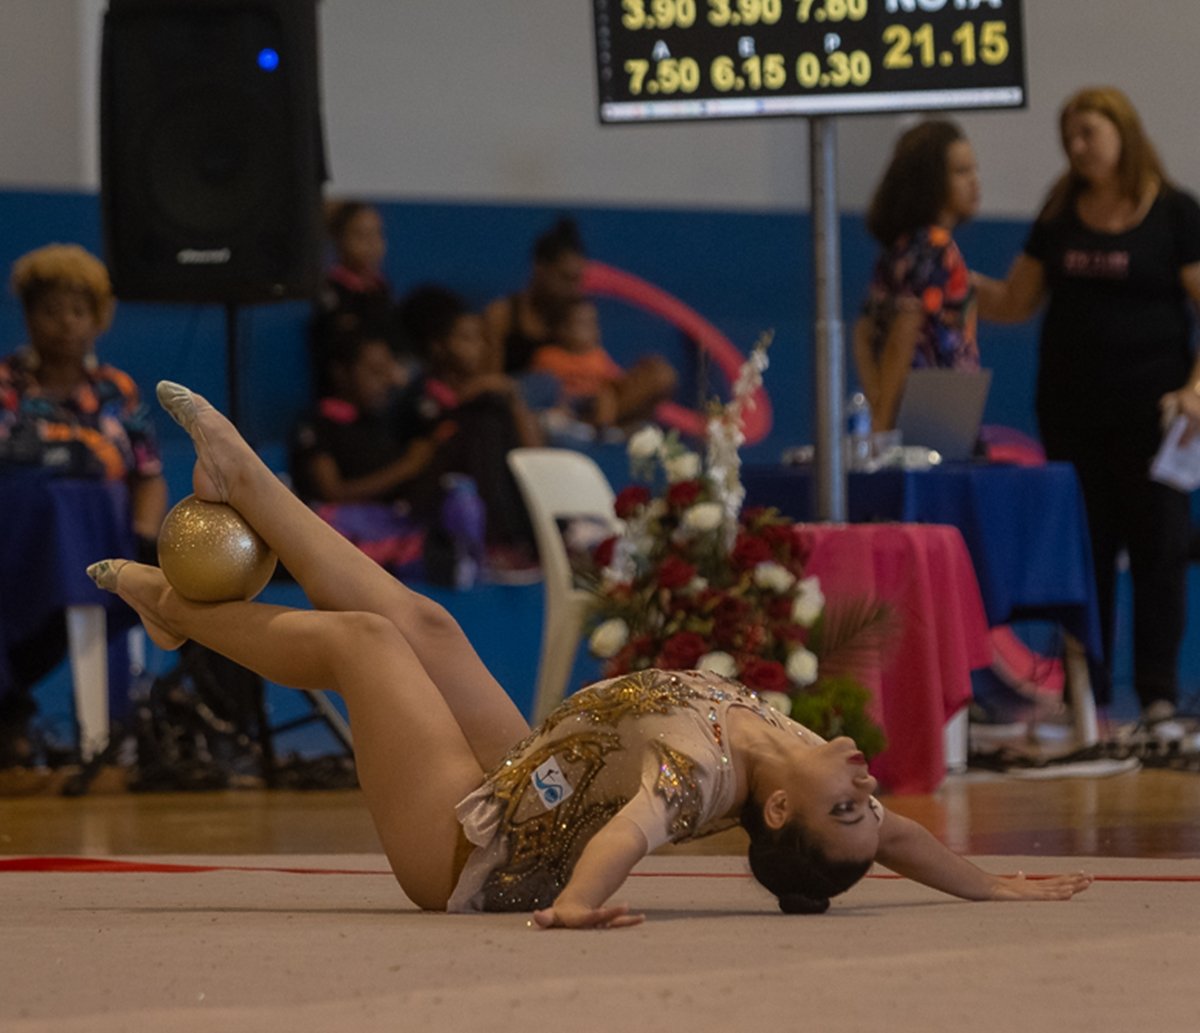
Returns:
point(413, 761)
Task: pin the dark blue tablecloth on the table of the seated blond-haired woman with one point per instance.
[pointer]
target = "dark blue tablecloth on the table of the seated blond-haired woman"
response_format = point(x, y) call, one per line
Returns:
point(51, 530)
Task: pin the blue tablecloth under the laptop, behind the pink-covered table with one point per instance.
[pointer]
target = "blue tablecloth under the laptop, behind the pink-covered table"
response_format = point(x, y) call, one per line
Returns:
point(1025, 528)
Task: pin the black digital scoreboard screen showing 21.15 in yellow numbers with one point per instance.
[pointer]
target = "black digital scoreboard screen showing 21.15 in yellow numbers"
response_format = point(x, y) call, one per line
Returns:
point(667, 61)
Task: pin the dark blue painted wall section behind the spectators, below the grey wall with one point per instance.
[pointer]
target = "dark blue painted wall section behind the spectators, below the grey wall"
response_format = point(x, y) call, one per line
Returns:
point(742, 271)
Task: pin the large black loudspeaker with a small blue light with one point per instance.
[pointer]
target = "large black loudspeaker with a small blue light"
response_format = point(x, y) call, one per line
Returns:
point(212, 149)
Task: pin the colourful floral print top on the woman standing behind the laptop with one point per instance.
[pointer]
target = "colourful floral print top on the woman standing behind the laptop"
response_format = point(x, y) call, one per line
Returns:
point(928, 268)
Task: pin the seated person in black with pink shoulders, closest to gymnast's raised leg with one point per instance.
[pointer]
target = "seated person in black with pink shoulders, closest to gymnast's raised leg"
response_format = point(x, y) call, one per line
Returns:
point(371, 473)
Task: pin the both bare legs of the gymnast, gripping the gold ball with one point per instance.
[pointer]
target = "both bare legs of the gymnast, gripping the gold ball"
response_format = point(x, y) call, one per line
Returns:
point(429, 719)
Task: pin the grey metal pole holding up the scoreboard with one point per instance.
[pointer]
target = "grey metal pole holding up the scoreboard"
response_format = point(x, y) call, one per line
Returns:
point(830, 365)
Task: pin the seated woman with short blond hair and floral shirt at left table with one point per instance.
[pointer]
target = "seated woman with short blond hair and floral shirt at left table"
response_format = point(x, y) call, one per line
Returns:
point(61, 407)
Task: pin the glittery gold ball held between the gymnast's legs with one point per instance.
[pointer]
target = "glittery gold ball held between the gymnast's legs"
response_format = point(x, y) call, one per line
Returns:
point(211, 555)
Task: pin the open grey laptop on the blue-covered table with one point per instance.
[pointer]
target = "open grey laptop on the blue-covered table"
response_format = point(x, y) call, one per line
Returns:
point(943, 410)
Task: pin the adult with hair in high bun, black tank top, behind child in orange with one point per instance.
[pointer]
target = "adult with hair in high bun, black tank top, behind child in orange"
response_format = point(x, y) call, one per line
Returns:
point(519, 325)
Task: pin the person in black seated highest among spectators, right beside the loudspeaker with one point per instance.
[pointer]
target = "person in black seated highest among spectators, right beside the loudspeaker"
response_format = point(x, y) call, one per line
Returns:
point(356, 297)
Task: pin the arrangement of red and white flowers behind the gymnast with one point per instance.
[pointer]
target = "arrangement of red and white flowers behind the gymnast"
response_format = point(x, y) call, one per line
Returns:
point(697, 582)
